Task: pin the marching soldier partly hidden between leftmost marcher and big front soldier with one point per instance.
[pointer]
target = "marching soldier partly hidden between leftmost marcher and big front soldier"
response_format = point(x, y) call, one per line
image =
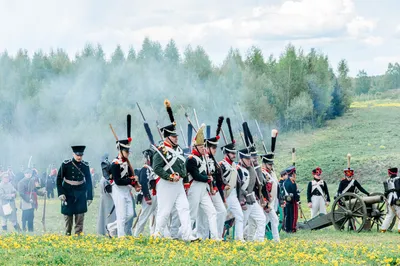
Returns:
point(148, 181)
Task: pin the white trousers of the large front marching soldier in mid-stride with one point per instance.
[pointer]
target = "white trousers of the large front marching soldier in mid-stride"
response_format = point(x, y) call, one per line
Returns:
point(172, 195)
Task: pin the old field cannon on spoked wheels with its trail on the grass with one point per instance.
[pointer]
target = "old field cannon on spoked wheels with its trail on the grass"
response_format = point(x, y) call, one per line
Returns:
point(352, 213)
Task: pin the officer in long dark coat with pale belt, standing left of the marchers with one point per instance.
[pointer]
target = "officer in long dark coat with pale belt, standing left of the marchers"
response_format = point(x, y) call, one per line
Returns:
point(74, 186)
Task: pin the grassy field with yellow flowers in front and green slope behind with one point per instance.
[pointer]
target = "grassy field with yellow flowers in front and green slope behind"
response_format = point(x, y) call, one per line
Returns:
point(368, 132)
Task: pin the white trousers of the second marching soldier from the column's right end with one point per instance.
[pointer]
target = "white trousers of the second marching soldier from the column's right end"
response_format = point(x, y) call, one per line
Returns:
point(256, 213)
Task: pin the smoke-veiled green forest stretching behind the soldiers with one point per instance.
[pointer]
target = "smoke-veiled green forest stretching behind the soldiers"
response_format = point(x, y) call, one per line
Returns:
point(49, 101)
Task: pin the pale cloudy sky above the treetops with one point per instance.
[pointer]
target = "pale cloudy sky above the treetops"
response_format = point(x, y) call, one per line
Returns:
point(364, 32)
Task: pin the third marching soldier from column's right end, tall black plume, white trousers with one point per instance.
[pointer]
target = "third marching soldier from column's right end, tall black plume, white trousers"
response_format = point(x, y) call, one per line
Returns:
point(231, 184)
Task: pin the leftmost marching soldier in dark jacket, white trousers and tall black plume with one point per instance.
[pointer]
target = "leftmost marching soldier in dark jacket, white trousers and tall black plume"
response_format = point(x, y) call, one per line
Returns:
point(124, 179)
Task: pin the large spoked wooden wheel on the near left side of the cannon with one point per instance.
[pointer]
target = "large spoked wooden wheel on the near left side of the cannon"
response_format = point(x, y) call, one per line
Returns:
point(349, 212)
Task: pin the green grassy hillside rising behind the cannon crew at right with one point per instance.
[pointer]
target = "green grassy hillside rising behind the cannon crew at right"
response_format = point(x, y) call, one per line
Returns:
point(369, 132)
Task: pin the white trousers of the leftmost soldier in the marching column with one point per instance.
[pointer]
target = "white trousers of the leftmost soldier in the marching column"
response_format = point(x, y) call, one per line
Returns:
point(123, 209)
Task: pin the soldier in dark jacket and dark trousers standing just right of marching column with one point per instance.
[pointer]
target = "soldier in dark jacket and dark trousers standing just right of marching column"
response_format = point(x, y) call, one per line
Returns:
point(292, 200)
